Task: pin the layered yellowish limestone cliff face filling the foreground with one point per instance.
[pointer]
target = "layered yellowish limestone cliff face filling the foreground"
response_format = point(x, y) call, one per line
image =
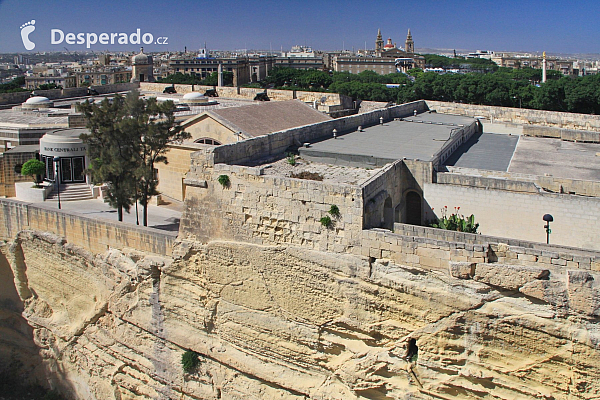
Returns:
point(287, 323)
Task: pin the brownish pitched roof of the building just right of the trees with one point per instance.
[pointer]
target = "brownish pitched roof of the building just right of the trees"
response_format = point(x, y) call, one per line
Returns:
point(268, 117)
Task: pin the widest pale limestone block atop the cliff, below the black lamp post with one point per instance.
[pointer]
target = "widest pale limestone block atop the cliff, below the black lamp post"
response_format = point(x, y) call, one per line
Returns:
point(510, 277)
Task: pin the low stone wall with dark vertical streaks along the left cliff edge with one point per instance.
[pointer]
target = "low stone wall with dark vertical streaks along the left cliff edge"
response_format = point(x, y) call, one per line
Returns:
point(95, 235)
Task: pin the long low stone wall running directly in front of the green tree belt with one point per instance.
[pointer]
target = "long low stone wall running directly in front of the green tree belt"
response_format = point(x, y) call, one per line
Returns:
point(575, 121)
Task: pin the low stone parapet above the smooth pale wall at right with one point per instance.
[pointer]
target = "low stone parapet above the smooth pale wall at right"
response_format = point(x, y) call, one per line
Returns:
point(517, 182)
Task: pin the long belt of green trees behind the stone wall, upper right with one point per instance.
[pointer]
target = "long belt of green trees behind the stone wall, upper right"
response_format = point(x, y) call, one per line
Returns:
point(491, 85)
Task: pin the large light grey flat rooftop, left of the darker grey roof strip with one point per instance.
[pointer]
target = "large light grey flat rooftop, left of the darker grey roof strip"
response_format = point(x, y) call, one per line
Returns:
point(418, 137)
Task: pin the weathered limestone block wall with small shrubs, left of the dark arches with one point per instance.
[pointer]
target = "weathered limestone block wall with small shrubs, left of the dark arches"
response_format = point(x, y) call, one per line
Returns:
point(266, 209)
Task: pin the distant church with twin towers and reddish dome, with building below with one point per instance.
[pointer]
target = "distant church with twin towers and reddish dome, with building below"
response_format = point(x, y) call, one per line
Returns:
point(385, 59)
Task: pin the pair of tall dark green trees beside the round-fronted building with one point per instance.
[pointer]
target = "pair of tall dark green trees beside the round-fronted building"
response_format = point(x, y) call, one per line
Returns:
point(128, 137)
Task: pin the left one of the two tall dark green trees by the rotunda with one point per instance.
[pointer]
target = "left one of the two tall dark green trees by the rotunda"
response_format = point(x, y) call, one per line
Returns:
point(111, 151)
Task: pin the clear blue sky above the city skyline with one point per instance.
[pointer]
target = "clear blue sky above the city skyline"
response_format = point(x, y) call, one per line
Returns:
point(498, 25)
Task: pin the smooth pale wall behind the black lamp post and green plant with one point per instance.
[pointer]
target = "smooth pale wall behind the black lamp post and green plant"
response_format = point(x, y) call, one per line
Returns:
point(519, 215)
